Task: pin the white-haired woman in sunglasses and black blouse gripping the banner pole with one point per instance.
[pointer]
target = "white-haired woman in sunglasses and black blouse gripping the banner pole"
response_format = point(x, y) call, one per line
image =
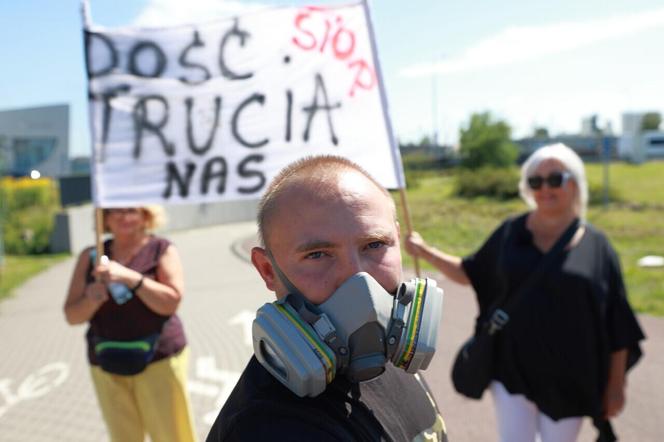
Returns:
point(571, 334)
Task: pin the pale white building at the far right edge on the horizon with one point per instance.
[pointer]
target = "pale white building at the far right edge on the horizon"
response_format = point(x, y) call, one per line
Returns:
point(636, 144)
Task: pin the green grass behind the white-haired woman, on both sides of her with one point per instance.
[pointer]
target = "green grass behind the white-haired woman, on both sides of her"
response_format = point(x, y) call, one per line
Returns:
point(634, 221)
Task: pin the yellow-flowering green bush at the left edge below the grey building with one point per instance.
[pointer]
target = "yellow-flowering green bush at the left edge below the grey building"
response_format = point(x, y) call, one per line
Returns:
point(28, 207)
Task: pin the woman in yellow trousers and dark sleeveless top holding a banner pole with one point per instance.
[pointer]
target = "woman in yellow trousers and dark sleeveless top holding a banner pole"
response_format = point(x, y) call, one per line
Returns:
point(136, 343)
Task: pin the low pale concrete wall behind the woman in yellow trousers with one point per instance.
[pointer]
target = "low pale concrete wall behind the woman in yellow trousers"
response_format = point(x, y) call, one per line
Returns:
point(74, 226)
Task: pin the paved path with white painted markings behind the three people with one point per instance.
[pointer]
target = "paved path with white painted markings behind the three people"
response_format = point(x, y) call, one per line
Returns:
point(45, 388)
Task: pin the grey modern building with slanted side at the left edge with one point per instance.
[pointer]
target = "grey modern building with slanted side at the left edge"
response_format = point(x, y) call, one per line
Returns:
point(35, 139)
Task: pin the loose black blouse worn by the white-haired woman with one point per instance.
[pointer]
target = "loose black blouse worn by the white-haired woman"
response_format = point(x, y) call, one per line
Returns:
point(555, 350)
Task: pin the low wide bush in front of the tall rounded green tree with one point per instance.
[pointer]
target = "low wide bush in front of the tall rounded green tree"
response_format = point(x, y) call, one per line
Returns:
point(498, 183)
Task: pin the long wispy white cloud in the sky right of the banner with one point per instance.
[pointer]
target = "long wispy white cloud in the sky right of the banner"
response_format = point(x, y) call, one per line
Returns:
point(518, 44)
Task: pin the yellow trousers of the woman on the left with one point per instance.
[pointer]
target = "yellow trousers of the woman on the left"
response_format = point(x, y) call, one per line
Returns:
point(154, 401)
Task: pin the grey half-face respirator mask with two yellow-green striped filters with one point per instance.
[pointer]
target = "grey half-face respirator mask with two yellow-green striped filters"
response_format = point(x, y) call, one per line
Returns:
point(359, 329)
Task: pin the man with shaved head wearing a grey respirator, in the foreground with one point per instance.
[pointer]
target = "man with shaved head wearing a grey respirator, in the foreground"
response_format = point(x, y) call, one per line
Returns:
point(336, 356)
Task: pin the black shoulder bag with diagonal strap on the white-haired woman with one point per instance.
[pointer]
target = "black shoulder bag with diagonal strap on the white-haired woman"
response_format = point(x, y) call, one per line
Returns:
point(473, 366)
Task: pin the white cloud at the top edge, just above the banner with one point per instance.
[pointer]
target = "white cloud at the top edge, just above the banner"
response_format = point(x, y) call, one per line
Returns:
point(176, 12)
